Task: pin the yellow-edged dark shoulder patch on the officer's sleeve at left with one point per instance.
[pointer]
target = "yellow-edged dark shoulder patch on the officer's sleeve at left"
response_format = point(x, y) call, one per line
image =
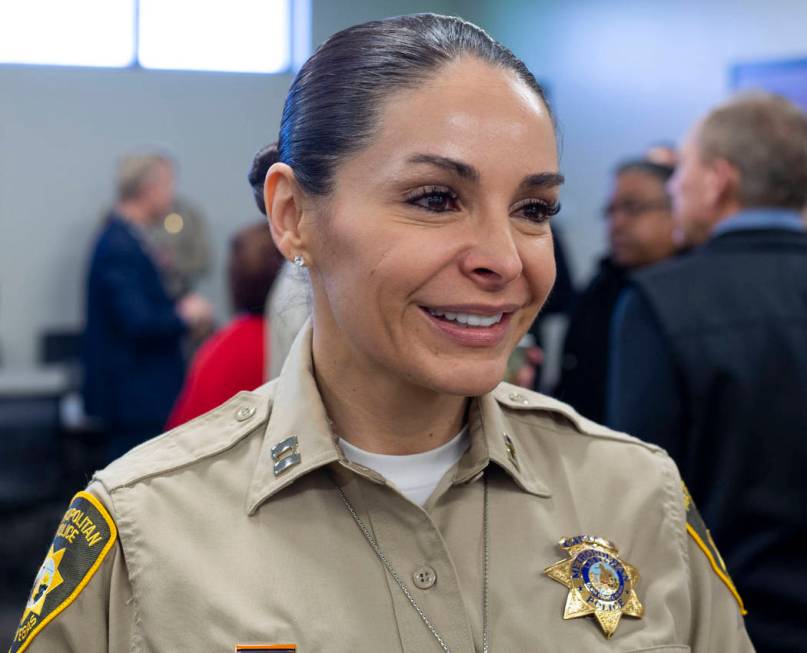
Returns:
point(83, 539)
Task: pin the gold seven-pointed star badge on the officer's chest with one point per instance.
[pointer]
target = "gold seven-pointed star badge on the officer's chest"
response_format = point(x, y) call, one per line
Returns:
point(599, 582)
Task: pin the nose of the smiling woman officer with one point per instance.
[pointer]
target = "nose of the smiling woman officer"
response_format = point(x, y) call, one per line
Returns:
point(493, 259)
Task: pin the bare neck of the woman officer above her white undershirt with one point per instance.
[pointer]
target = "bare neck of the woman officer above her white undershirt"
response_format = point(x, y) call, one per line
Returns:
point(374, 411)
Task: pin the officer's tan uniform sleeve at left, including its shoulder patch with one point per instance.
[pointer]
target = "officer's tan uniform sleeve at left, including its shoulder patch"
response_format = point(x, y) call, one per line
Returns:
point(81, 600)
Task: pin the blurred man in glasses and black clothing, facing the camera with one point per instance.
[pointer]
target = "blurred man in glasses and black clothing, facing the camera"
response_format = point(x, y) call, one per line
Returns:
point(640, 233)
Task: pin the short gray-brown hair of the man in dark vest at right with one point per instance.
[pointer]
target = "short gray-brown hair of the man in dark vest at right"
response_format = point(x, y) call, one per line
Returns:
point(764, 136)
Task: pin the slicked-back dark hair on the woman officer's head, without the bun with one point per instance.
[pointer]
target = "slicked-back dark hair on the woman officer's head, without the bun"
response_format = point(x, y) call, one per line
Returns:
point(332, 107)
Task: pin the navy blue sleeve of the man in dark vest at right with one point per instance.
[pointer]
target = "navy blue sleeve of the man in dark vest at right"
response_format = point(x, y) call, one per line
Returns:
point(644, 396)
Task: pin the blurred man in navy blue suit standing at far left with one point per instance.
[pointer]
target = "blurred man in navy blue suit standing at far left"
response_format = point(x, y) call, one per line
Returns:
point(132, 356)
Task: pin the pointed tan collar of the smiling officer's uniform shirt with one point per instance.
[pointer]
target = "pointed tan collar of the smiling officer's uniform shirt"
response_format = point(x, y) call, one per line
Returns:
point(298, 426)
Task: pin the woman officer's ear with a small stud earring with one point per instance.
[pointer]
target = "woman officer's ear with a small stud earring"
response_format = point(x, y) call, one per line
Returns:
point(284, 208)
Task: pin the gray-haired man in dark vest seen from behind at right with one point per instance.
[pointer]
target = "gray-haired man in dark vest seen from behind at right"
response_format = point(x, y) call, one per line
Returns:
point(709, 355)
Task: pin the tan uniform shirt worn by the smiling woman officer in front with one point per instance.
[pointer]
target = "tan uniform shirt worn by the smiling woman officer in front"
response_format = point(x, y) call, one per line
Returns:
point(214, 549)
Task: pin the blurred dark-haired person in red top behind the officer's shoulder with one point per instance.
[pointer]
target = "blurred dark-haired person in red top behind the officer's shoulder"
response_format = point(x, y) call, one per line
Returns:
point(234, 358)
